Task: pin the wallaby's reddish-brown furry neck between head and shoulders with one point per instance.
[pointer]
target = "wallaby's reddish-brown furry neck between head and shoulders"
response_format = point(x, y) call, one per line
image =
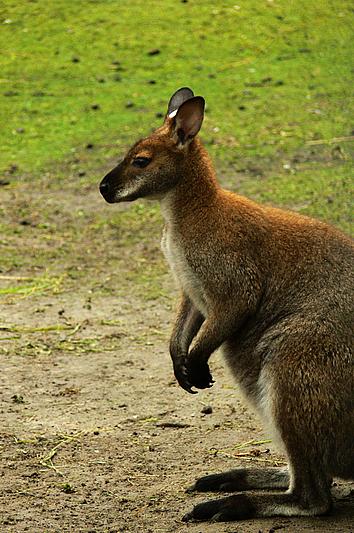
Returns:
point(197, 186)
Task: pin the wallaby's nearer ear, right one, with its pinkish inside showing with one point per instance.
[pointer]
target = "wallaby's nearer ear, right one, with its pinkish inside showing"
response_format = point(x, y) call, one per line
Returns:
point(189, 118)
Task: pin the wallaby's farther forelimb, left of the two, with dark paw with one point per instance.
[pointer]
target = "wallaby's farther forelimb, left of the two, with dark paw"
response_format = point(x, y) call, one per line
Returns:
point(187, 325)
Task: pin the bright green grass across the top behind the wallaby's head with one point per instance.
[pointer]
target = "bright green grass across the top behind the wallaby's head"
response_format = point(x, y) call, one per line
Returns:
point(288, 65)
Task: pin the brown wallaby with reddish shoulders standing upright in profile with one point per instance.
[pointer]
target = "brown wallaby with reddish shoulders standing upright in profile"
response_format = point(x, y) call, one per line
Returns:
point(275, 290)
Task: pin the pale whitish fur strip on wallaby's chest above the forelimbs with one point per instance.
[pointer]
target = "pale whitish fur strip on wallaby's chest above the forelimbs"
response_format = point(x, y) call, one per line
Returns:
point(184, 273)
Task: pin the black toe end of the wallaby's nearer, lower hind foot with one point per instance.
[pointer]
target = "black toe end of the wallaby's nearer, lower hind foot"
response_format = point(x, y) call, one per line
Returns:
point(237, 507)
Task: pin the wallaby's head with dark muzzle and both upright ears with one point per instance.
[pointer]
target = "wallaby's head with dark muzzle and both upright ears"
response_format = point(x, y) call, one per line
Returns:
point(155, 164)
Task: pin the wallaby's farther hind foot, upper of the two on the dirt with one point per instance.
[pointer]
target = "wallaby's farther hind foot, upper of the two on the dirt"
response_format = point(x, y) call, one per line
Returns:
point(243, 479)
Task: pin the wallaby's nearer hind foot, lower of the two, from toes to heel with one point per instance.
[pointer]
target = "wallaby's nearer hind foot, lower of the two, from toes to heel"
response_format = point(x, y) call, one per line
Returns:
point(244, 506)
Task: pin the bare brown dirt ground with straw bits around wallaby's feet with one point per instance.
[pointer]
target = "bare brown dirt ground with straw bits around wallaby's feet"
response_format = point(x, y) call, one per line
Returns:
point(95, 434)
